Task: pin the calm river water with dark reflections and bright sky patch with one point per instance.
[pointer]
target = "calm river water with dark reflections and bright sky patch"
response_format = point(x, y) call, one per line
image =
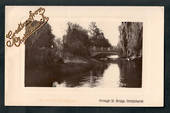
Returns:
point(121, 73)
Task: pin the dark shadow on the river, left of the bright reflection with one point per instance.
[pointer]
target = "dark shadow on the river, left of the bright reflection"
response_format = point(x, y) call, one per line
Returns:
point(73, 75)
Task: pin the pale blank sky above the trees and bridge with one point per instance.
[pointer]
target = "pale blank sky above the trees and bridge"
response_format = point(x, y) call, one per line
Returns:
point(109, 28)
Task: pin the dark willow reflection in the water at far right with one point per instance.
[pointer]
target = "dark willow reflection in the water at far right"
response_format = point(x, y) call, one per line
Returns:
point(130, 73)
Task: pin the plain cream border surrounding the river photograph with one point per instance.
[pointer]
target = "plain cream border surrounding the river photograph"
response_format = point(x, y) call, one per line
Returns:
point(153, 57)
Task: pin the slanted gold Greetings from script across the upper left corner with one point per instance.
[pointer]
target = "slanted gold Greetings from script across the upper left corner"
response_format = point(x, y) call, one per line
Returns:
point(15, 40)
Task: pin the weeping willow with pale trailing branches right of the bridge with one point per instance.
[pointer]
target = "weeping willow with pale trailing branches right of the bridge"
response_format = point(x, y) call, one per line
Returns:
point(131, 35)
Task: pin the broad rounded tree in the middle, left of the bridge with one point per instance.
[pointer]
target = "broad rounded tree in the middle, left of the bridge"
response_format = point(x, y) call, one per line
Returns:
point(76, 41)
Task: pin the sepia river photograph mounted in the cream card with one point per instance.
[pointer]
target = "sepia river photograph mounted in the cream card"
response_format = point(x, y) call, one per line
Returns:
point(84, 52)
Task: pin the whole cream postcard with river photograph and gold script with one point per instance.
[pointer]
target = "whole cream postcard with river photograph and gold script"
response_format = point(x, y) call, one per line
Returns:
point(84, 56)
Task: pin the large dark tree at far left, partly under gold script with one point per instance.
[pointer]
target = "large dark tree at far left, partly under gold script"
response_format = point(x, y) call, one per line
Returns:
point(38, 47)
